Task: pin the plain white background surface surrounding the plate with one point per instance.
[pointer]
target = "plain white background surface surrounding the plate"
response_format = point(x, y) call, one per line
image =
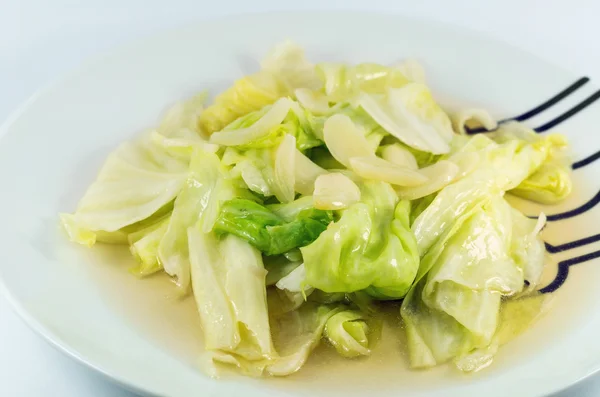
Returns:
point(41, 40)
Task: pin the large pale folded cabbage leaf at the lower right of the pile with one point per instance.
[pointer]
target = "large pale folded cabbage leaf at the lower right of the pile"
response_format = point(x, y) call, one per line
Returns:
point(454, 308)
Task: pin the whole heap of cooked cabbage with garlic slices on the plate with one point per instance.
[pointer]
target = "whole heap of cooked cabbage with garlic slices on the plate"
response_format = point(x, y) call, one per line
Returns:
point(306, 197)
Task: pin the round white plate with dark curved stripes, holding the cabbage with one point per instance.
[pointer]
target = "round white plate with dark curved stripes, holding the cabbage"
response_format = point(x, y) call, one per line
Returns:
point(137, 333)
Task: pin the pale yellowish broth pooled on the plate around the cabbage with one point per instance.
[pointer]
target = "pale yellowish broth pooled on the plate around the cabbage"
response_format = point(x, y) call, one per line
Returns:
point(154, 308)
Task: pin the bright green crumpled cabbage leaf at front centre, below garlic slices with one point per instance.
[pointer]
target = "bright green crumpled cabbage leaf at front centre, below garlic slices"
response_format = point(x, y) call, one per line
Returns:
point(370, 248)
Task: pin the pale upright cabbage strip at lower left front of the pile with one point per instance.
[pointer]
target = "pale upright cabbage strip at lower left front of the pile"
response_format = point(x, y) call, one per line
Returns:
point(228, 279)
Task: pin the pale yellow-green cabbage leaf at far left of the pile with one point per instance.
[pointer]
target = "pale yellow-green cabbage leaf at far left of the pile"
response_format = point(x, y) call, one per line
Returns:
point(139, 180)
